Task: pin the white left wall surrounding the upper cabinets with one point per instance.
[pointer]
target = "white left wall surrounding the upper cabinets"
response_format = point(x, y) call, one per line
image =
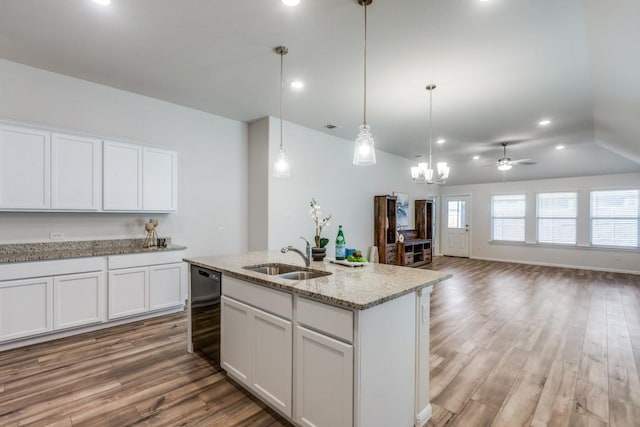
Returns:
point(212, 152)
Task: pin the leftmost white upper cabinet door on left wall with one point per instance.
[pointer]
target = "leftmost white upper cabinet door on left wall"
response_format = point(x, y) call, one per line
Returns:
point(25, 161)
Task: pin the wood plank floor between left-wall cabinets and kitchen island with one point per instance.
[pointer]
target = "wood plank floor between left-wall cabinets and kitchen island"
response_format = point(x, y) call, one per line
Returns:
point(135, 374)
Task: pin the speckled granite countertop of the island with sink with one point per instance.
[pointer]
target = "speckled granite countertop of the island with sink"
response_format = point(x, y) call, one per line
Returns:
point(353, 287)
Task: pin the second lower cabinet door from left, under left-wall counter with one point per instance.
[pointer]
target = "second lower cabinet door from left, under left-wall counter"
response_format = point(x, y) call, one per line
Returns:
point(78, 300)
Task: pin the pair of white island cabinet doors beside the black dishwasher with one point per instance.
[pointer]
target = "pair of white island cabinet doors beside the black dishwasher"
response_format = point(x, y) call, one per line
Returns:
point(257, 351)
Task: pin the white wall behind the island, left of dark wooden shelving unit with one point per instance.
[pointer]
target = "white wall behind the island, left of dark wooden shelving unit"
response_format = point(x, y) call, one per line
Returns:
point(321, 167)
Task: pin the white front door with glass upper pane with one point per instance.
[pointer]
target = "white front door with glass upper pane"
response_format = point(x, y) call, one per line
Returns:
point(456, 226)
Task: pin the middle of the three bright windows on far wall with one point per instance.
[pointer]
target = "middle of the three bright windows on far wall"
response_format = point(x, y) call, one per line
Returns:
point(557, 213)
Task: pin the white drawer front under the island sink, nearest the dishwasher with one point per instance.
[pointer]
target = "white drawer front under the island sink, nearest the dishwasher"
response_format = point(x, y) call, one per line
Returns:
point(269, 300)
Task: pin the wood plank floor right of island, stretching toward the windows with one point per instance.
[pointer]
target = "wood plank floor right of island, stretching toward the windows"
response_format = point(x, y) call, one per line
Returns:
point(521, 345)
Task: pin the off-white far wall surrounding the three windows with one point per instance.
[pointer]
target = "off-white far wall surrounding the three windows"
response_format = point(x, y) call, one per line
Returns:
point(581, 256)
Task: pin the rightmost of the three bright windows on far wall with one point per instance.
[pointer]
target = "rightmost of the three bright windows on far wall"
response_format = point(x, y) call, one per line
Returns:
point(614, 218)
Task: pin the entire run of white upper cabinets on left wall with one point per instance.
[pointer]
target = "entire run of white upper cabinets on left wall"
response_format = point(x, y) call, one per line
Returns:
point(45, 170)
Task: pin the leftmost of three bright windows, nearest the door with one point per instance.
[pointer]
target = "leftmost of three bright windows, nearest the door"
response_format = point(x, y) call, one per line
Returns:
point(507, 217)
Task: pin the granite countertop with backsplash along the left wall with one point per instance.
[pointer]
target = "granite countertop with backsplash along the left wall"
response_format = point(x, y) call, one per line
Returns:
point(46, 251)
